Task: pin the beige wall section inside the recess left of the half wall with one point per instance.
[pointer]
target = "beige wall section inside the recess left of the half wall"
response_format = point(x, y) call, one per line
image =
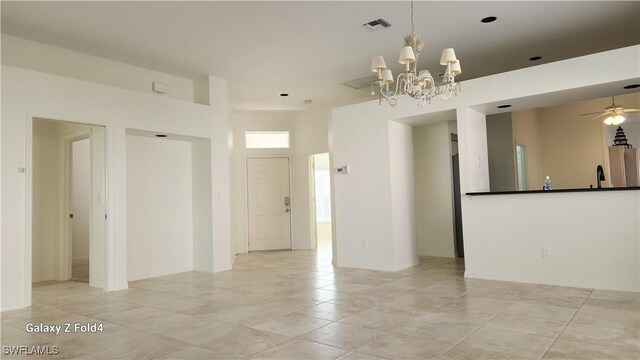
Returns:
point(434, 201)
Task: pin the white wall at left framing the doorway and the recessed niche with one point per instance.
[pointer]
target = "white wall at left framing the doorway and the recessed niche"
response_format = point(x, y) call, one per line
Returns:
point(28, 93)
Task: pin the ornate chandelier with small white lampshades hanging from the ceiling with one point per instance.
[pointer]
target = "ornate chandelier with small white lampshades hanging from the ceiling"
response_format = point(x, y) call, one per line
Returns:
point(420, 85)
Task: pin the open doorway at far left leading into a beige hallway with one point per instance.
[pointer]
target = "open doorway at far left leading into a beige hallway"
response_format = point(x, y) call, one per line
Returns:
point(68, 208)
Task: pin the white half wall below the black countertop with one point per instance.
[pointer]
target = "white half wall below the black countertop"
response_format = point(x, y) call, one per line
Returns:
point(593, 238)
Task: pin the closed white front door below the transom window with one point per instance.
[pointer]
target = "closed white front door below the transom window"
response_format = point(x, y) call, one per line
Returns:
point(269, 204)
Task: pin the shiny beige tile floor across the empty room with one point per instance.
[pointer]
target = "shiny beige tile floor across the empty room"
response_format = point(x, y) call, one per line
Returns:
point(296, 305)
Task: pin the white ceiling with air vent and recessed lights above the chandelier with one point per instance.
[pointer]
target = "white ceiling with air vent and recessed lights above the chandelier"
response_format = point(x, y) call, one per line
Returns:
point(308, 48)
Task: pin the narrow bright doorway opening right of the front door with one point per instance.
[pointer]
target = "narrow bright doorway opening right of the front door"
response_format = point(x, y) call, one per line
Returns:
point(320, 178)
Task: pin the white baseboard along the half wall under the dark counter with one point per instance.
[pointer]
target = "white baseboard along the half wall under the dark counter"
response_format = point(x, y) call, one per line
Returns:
point(553, 281)
